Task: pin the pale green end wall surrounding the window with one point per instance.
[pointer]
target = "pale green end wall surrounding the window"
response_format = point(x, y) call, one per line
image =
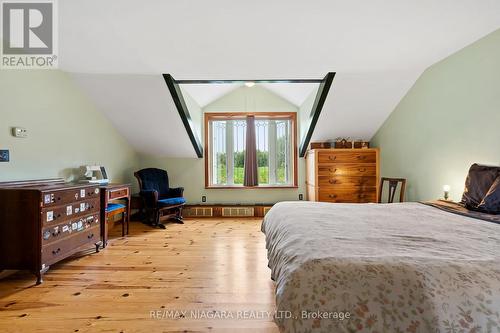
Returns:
point(190, 172)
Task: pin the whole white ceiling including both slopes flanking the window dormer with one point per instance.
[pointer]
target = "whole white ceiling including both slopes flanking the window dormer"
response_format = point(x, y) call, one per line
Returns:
point(117, 50)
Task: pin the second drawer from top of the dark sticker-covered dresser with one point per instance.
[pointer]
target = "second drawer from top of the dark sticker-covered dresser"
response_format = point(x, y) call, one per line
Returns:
point(58, 214)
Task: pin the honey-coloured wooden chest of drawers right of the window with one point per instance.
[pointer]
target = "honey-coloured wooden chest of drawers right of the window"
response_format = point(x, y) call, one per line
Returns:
point(342, 175)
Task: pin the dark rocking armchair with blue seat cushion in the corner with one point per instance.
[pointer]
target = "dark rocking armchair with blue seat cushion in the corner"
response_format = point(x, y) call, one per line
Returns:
point(158, 198)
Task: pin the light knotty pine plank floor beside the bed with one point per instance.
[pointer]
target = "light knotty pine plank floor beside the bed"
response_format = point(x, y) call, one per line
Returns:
point(209, 268)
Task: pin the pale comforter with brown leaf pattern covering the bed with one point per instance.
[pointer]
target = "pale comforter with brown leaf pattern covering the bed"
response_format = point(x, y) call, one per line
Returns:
point(390, 268)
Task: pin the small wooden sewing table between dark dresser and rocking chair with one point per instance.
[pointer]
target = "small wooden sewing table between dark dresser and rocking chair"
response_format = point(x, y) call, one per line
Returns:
point(109, 193)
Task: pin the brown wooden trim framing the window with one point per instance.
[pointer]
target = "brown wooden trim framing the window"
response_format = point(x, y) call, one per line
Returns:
point(208, 116)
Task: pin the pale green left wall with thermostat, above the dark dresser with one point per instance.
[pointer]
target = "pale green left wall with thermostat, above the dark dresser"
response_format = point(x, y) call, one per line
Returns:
point(65, 130)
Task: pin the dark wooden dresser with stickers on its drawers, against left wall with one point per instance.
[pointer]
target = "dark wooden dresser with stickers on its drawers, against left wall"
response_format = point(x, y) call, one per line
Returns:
point(42, 223)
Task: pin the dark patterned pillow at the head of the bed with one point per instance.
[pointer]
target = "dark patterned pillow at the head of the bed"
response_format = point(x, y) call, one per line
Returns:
point(478, 183)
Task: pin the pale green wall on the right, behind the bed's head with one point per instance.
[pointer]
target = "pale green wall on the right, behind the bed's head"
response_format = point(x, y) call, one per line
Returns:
point(447, 121)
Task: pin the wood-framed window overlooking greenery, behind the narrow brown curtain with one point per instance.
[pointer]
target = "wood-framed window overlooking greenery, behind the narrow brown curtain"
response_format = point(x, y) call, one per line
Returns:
point(275, 149)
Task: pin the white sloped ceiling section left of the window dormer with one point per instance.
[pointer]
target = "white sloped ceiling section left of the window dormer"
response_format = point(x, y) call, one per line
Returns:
point(142, 109)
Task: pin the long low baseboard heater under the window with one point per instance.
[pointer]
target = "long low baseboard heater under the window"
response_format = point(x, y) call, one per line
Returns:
point(226, 210)
